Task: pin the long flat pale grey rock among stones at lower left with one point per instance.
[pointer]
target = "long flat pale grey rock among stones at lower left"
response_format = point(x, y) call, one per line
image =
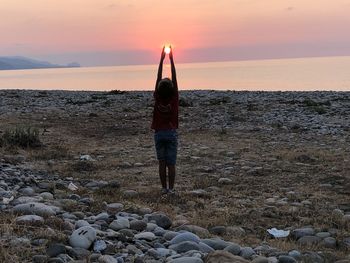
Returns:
point(35, 209)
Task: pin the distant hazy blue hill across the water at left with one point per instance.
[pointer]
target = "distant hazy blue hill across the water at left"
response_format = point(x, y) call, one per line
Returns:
point(7, 63)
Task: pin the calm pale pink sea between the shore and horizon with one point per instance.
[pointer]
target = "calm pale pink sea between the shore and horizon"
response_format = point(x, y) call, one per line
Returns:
point(330, 73)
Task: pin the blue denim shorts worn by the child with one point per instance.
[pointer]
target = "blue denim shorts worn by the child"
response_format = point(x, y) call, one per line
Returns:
point(166, 145)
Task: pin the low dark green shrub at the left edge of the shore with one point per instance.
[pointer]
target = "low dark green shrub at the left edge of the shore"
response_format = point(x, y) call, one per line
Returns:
point(21, 136)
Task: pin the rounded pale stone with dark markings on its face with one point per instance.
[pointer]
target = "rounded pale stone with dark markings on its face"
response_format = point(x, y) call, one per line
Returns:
point(83, 237)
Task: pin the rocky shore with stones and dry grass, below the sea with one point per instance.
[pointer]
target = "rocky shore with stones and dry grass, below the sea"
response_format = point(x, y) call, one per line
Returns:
point(251, 166)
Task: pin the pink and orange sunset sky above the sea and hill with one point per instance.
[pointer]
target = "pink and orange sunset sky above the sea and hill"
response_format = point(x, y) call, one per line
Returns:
point(113, 32)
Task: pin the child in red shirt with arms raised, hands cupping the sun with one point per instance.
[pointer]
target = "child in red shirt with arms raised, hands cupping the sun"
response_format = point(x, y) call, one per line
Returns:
point(165, 122)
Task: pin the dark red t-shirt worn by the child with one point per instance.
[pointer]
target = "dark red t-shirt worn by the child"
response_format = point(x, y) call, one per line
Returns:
point(165, 113)
